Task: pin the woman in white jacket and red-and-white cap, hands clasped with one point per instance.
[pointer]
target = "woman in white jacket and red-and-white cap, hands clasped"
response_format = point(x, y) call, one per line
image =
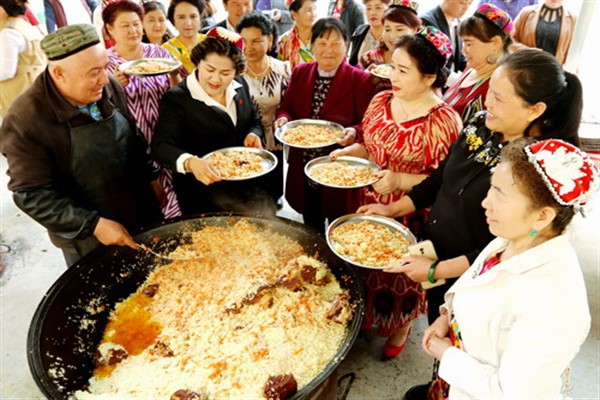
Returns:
point(519, 315)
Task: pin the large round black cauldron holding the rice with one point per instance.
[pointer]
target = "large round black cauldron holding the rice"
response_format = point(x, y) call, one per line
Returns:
point(69, 322)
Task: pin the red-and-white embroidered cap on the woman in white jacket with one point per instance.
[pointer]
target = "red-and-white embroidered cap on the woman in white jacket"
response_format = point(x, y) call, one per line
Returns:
point(569, 173)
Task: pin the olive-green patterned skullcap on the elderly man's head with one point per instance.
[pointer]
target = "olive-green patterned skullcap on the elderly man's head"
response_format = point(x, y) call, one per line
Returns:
point(69, 40)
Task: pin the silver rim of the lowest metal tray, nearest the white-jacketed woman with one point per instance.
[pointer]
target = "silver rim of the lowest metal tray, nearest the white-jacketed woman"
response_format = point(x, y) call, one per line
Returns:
point(390, 223)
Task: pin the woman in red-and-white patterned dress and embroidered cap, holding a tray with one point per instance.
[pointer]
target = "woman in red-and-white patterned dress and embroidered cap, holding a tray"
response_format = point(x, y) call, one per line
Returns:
point(407, 132)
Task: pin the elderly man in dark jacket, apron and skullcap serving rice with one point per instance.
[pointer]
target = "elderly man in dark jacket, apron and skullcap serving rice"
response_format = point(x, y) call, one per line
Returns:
point(75, 160)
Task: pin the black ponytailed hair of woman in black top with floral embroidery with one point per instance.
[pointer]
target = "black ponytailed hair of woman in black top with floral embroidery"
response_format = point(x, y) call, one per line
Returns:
point(538, 77)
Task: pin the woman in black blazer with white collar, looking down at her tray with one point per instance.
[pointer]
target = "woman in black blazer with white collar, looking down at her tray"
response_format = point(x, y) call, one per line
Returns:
point(210, 110)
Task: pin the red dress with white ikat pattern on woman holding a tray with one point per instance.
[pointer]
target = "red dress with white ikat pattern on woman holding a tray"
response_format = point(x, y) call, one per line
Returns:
point(416, 147)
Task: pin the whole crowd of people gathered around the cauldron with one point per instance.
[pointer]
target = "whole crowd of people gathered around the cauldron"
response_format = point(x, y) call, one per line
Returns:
point(470, 131)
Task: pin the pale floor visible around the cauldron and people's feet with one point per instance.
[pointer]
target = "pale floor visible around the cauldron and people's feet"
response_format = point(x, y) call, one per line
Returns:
point(33, 264)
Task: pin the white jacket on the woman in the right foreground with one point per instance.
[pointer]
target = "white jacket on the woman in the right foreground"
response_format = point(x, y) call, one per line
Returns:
point(521, 323)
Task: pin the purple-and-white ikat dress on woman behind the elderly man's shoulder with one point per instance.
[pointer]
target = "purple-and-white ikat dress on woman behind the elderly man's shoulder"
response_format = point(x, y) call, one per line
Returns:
point(143, 96)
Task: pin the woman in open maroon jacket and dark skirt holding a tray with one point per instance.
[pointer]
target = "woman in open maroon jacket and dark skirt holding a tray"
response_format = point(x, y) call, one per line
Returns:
point(337, 92)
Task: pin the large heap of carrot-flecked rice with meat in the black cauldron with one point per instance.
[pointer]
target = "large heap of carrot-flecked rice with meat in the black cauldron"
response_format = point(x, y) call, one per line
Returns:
point(252, 307)
